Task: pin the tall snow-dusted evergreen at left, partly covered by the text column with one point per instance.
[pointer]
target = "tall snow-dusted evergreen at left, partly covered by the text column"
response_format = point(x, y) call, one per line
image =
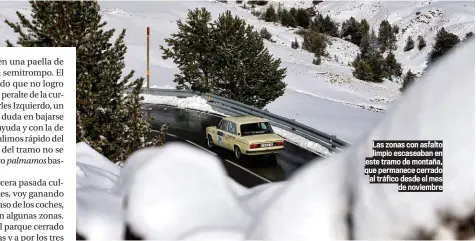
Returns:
point(108, 119)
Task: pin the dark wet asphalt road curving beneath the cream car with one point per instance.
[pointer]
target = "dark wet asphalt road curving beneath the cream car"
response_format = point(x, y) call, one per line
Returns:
point(188, 126)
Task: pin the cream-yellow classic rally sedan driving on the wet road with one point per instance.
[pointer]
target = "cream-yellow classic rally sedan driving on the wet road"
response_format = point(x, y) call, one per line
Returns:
point(247, 135)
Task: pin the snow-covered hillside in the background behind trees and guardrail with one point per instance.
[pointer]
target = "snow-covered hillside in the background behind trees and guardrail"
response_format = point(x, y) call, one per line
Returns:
point(326, 97)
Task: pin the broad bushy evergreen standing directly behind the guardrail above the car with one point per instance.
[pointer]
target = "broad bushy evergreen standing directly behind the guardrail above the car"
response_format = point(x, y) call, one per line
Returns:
point(238, 67)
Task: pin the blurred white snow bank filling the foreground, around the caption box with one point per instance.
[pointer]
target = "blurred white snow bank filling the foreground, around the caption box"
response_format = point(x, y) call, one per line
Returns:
point(181, 192)
